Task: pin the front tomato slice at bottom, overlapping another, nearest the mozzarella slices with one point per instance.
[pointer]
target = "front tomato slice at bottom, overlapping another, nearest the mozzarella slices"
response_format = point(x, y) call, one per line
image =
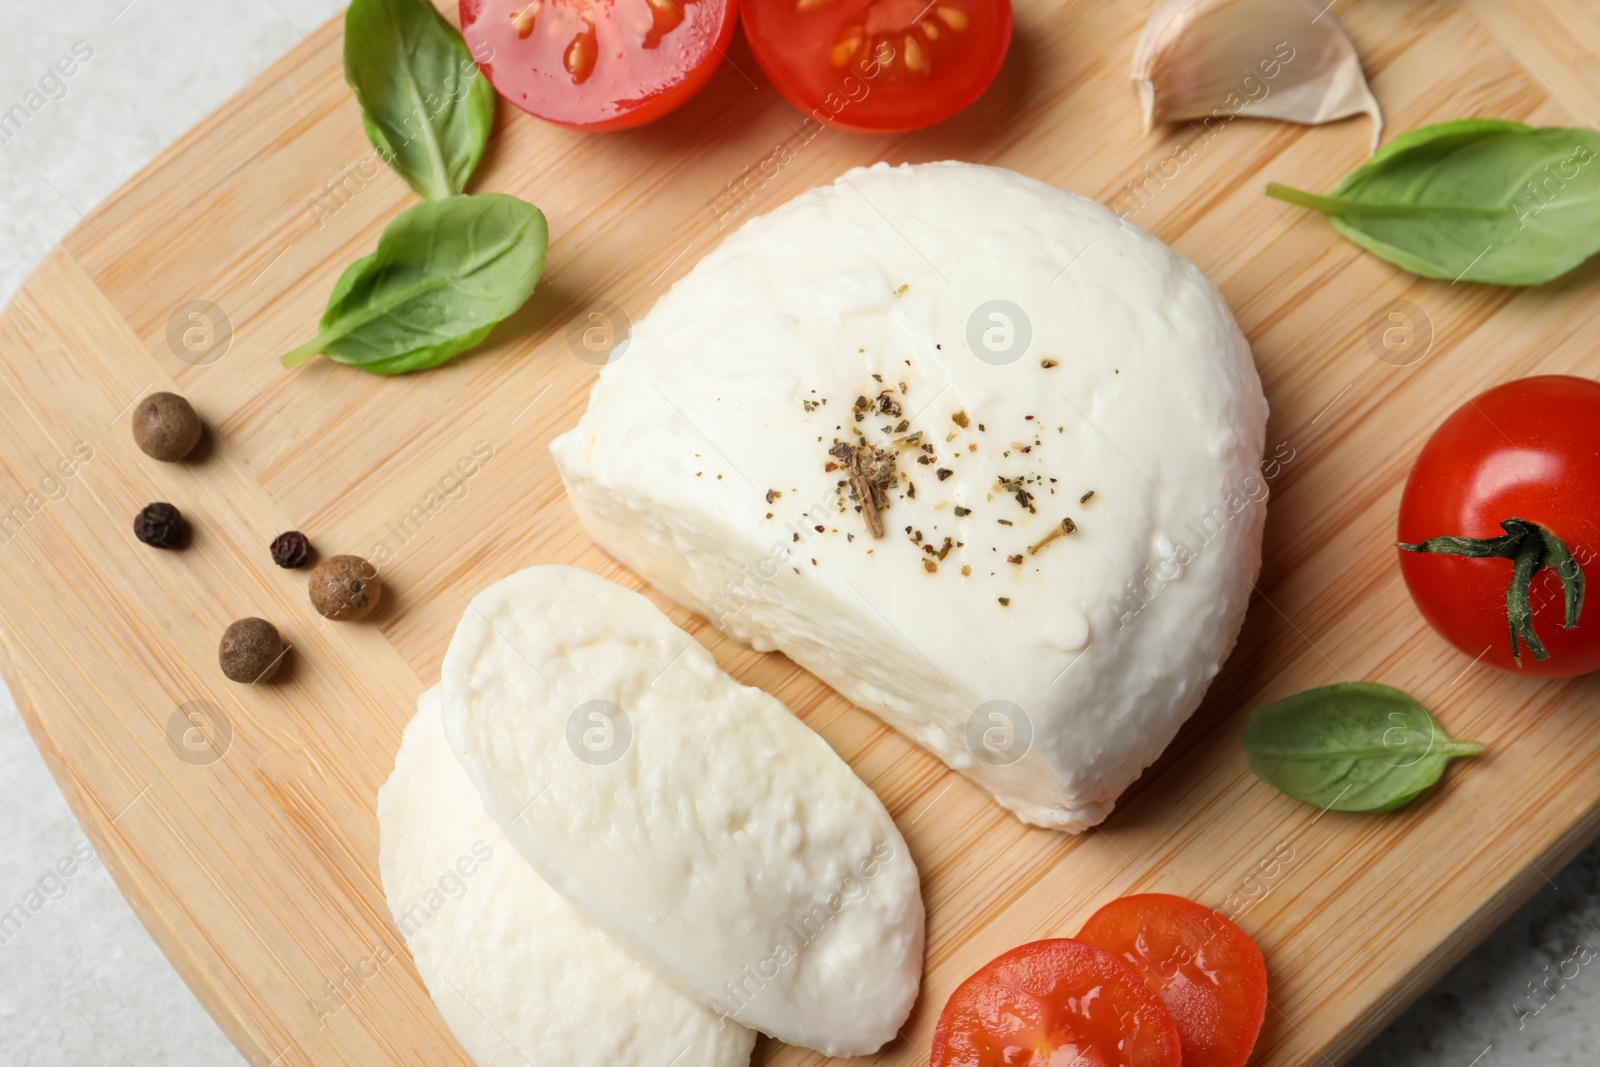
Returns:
point(1055, 1004)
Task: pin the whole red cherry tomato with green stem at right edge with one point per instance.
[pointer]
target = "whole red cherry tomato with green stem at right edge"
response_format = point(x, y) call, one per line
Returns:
point(1500, 524)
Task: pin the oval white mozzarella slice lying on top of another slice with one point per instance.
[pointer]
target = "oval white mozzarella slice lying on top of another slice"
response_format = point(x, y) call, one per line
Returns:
point(695, 820)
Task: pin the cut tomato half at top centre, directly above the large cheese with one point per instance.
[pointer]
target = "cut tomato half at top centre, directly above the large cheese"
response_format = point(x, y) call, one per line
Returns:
point(879, 65)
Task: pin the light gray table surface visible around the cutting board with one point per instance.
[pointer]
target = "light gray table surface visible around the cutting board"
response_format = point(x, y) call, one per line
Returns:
point(82, 983)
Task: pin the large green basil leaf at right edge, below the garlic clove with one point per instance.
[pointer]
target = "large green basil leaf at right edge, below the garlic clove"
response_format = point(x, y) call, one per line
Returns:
point(1476, 201)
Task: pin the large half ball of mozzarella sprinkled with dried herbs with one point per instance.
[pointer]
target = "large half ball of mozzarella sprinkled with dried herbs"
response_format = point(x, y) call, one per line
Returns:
point(1014, 350)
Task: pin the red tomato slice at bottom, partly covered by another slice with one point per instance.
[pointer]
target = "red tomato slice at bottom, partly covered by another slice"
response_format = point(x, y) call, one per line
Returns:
point(1207, 972)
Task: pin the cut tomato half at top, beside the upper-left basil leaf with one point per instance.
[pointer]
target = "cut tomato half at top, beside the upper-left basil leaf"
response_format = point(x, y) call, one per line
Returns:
point(598, 65)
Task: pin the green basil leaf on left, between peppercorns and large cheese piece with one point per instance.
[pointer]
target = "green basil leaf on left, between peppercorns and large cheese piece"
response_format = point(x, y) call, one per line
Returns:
point(446, 273)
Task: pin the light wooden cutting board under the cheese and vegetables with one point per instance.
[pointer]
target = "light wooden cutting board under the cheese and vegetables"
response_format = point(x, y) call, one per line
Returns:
point(239, 821)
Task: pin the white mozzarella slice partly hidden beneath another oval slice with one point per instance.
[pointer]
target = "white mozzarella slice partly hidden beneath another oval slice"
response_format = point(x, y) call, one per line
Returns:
point(518, 973)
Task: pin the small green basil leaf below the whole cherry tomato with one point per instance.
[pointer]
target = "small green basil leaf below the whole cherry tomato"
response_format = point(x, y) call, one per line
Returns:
point(1354, 746)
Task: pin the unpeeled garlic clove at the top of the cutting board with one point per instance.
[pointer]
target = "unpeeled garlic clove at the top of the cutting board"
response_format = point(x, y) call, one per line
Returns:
point(1263, 58)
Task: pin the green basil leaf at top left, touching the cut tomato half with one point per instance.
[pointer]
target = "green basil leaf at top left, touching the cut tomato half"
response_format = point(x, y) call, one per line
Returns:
point(425, 105)
